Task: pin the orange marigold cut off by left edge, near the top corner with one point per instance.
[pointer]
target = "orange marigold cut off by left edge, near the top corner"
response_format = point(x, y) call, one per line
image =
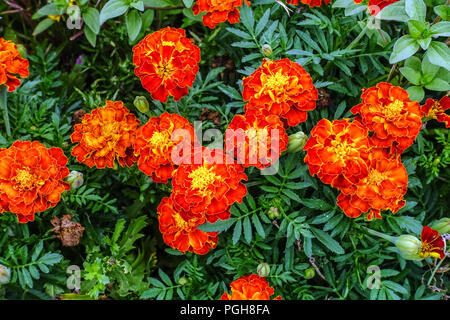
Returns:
point(11, 65)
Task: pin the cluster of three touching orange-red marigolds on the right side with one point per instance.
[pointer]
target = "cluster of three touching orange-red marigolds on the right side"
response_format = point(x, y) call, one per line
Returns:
point(367, 168)
